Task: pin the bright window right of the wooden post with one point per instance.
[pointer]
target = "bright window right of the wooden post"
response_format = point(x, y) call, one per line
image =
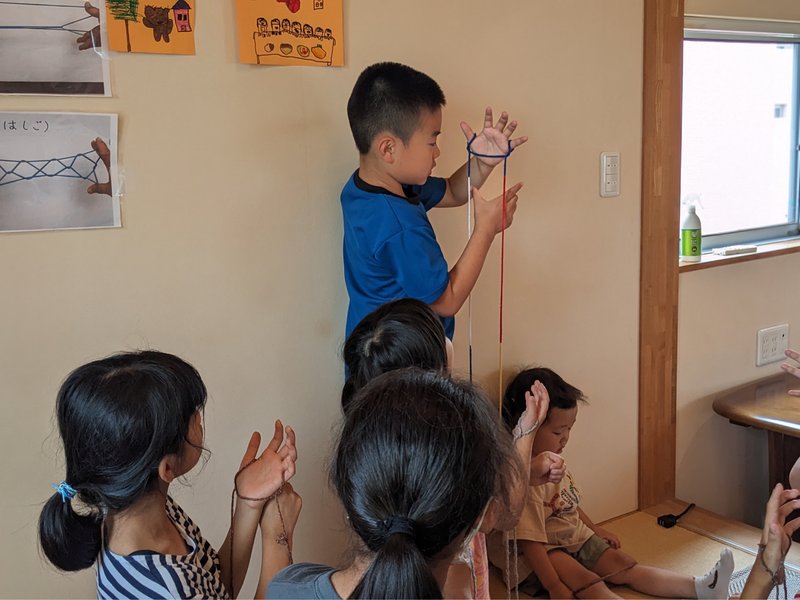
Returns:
point(740, 128)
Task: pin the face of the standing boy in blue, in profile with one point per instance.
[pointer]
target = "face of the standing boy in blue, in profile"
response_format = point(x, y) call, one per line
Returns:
point(414, 161)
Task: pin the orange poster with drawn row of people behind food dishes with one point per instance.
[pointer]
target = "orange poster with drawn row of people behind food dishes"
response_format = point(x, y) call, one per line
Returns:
point(290, 32)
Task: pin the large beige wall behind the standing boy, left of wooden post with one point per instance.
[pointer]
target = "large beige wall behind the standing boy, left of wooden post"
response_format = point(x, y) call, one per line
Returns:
point(235, 264)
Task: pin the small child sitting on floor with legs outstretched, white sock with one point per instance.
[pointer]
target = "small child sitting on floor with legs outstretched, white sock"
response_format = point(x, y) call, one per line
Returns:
point(562, 550)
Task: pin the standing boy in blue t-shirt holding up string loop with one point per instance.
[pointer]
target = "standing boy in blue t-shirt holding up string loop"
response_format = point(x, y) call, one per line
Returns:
point(390, 248)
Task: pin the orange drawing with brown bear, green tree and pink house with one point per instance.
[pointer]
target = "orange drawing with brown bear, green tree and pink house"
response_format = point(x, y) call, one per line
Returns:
point(159, 26)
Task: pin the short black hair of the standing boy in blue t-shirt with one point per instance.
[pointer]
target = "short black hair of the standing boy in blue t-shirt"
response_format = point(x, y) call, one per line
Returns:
point(390, 97)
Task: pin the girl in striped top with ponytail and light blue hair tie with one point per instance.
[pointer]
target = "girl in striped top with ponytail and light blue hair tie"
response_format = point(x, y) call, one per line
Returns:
point(130, 424)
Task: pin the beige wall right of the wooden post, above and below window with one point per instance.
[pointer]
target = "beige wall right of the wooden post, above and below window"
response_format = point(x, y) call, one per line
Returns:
point(720, 466)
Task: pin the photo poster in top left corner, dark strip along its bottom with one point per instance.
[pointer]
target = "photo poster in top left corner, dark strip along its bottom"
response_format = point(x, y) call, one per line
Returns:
point(53, 48)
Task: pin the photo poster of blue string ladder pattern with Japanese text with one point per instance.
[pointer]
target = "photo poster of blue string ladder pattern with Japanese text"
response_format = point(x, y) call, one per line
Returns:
point(58, 171)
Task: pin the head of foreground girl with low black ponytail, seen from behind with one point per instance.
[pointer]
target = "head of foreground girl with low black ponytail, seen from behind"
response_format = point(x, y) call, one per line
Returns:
point(418, 459)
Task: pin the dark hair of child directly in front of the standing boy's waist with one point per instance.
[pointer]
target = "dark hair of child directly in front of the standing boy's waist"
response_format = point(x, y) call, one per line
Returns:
point(402, 333)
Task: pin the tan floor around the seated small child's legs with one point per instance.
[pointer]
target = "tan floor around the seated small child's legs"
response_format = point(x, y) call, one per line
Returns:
point(692, 547)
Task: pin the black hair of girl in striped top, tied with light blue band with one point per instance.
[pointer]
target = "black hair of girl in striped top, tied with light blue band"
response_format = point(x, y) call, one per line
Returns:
point(118, 417)
